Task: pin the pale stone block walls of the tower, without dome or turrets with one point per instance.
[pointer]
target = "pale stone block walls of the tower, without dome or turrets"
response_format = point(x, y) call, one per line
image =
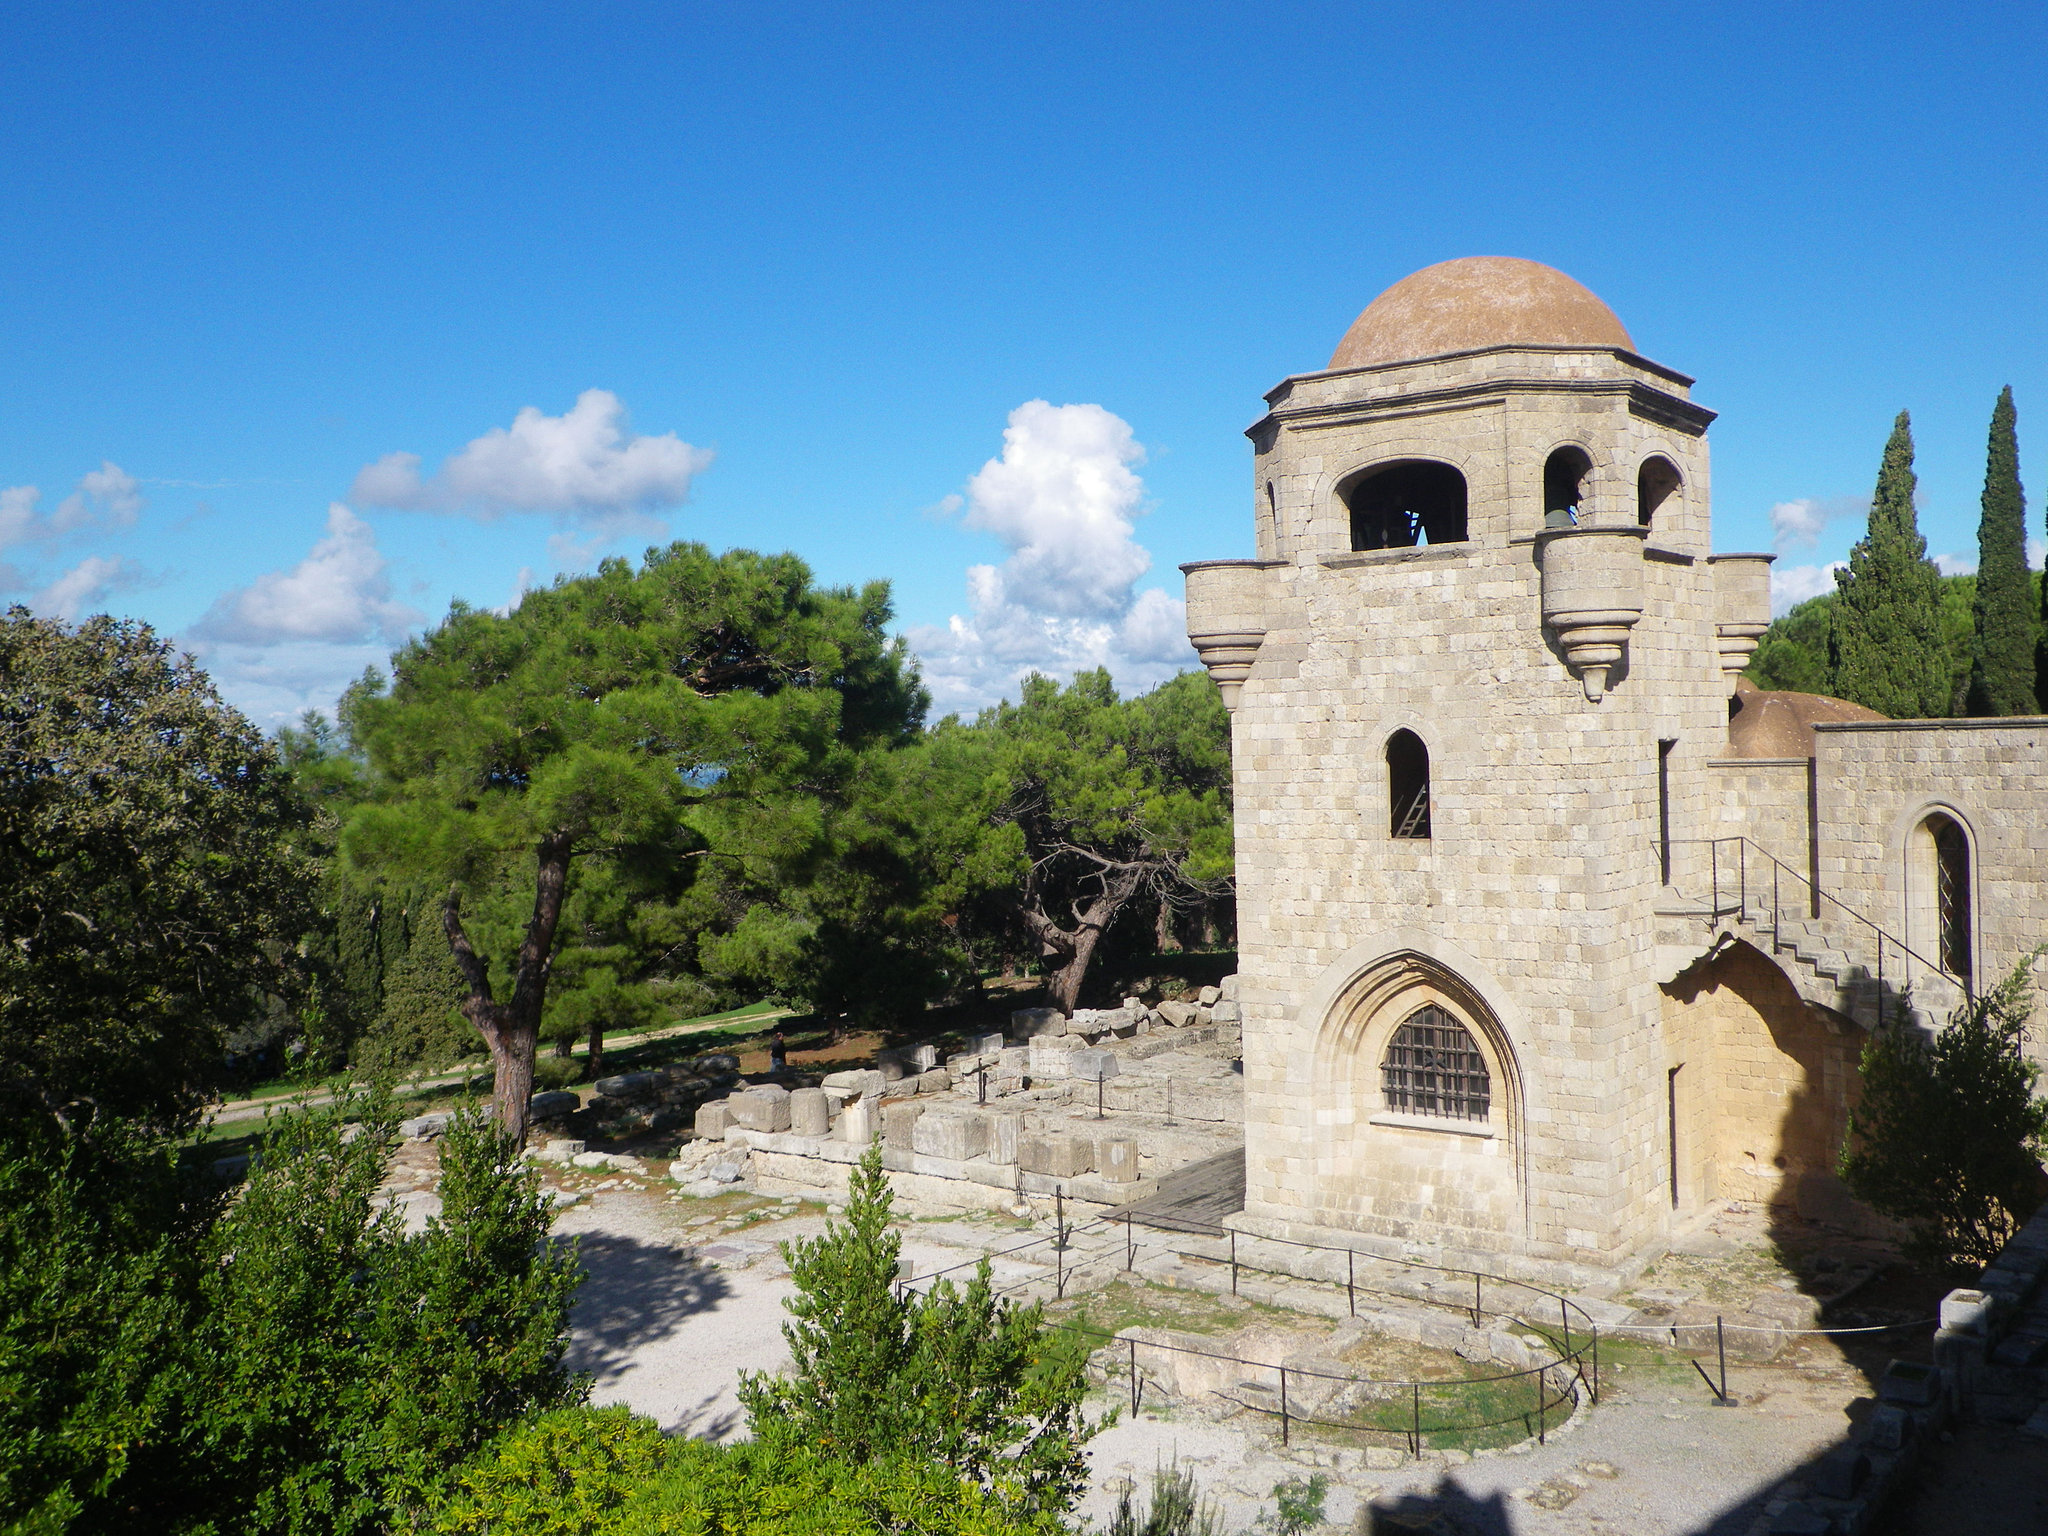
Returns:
point(1539, 884)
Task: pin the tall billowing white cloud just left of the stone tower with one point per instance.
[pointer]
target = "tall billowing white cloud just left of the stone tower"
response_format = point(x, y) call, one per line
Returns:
point(1064, 497)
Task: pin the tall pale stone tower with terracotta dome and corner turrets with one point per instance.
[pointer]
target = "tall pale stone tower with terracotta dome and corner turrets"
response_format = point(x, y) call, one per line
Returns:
point(1476, 675)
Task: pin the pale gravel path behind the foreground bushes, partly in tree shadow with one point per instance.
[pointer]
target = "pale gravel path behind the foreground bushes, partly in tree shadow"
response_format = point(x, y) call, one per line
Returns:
point(675, 1312)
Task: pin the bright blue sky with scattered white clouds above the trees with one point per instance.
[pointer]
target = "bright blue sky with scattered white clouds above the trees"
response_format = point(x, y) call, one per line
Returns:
point(816, 261)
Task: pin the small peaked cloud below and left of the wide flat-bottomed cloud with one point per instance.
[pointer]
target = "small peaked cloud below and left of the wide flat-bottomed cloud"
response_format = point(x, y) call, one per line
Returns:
point(339, 595)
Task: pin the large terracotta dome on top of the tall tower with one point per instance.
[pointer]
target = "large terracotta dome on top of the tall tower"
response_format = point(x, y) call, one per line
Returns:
point(1478, 302)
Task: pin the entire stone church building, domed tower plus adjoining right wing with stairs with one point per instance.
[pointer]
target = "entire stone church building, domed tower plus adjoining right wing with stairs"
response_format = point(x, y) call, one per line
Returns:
point(1553, 933)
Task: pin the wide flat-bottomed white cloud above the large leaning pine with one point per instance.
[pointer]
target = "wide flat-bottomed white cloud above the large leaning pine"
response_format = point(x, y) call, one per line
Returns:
point(583, 464)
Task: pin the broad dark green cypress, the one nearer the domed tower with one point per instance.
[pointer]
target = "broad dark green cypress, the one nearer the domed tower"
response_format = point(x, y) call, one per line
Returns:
point(1885, 650)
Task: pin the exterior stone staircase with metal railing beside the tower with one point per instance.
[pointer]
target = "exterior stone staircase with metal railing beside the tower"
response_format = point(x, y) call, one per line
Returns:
point(1840, 959)
